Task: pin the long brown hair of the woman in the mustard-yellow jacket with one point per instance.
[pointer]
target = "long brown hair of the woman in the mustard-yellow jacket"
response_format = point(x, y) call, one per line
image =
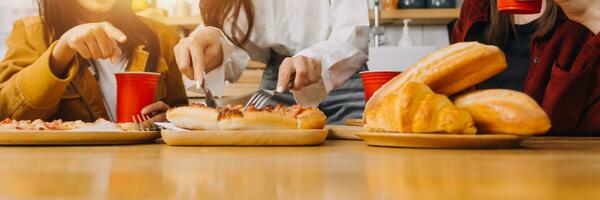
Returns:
point(59, 16)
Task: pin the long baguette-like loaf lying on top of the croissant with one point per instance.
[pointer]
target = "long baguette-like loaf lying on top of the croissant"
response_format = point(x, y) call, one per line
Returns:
point(449, 70)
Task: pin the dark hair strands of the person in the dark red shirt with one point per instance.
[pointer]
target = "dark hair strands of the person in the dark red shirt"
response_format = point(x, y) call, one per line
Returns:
point(501, 25)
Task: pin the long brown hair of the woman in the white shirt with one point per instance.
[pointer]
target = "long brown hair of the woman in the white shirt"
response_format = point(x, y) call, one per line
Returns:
point(216, 12)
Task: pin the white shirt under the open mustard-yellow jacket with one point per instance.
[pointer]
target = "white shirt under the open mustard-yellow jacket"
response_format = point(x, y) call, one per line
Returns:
point(108, 83)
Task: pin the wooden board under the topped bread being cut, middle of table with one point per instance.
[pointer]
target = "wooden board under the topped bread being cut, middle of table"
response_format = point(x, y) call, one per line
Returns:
point(303, 137)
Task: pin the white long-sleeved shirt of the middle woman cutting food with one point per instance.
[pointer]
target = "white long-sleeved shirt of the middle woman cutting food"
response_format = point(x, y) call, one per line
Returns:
point(334, 31)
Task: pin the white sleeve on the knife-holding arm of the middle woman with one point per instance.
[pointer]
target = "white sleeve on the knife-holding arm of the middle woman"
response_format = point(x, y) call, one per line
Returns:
point(235, 60)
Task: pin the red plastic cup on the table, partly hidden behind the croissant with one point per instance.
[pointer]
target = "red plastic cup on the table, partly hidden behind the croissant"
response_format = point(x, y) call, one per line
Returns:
point(373, 80)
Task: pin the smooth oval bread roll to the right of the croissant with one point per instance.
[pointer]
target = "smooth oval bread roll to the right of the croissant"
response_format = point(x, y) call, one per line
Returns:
point(502, 111)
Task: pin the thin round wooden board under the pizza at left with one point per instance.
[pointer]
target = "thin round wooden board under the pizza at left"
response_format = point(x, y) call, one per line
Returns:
point(76, 138)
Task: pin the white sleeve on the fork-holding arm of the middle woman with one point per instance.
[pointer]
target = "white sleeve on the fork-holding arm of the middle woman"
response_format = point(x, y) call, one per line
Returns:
point(342, 54)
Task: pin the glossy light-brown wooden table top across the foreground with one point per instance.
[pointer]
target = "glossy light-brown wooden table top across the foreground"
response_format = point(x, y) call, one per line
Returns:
point(547, 168)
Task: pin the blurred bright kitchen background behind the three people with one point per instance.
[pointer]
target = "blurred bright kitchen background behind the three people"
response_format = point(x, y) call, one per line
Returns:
point(430, 25)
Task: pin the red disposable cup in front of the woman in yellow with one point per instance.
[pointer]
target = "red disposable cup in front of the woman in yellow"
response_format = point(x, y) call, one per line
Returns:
point(135, 90)
